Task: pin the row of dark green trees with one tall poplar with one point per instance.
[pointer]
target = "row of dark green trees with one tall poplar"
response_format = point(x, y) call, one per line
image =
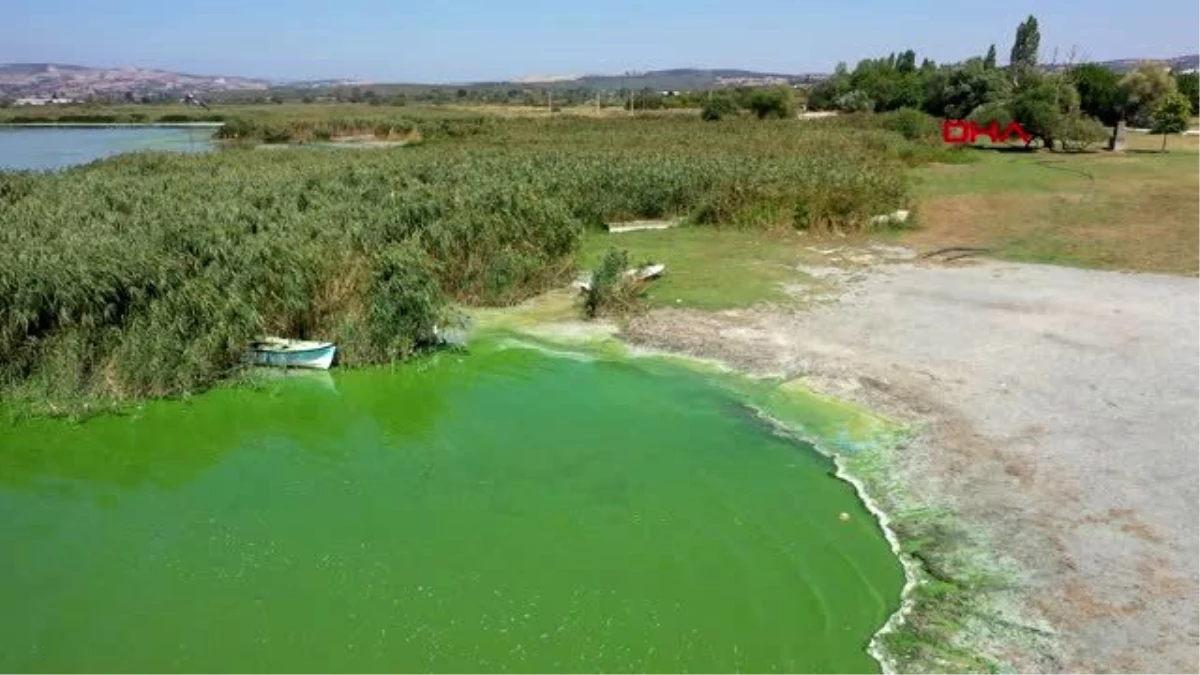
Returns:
point(1066, 105)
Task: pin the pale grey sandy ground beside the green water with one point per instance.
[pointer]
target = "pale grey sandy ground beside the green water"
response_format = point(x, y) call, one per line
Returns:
point(1059, 411)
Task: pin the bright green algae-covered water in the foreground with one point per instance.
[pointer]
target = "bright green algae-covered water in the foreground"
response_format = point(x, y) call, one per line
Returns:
point(497, 512)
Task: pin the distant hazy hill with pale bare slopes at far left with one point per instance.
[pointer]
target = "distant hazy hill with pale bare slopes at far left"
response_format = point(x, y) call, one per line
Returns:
point(80, 82)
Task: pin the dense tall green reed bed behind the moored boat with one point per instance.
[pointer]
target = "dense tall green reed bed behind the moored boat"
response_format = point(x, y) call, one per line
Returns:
point(148, 274)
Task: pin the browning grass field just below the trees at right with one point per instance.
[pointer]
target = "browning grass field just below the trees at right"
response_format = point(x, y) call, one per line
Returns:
point(1132, 212)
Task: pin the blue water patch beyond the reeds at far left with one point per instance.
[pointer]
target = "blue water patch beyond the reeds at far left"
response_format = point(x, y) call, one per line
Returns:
point(43, 150)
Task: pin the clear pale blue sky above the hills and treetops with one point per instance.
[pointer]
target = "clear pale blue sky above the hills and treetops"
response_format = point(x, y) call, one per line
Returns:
point(477, 40)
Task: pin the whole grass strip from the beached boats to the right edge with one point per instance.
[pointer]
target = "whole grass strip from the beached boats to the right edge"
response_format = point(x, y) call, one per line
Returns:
point(1132, 212)
